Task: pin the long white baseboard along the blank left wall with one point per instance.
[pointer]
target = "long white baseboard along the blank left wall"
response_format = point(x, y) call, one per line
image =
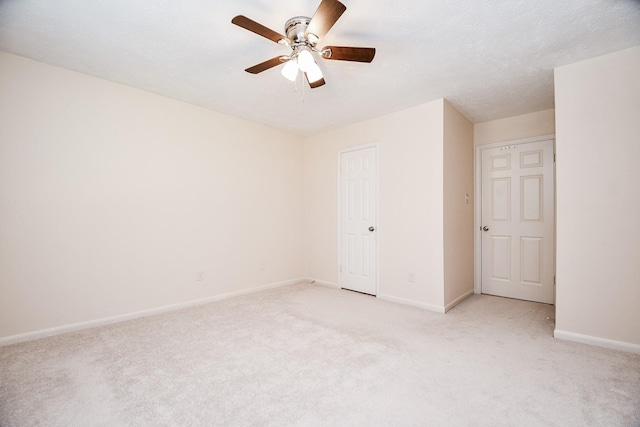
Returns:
point(14, 339)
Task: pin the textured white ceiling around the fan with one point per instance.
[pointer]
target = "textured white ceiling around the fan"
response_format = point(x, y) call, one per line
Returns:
point(490, 58)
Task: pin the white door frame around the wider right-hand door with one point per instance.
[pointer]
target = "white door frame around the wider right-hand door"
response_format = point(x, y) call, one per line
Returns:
point(477, 280)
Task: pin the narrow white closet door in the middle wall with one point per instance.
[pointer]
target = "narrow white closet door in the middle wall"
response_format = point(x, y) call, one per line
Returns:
point(358, 204)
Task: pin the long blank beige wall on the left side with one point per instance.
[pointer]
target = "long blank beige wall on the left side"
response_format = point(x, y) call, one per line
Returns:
point(111, 199)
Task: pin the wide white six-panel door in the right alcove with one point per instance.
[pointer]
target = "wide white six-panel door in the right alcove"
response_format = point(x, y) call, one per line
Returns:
point(518, 221)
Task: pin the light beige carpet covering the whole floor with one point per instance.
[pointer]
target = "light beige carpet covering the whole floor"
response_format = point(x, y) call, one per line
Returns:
point(307, 355)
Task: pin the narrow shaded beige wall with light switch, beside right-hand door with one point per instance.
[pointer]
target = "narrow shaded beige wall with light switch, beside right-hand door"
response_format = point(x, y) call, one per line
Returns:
point(458, 214)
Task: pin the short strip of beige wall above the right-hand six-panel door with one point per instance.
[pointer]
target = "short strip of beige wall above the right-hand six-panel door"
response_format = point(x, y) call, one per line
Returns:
point(518, 127)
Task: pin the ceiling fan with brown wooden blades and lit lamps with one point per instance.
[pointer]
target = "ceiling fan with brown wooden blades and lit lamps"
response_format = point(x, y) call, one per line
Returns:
point(302, 35)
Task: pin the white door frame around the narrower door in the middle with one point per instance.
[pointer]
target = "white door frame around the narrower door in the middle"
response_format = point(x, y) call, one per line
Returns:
point(377, 208)
